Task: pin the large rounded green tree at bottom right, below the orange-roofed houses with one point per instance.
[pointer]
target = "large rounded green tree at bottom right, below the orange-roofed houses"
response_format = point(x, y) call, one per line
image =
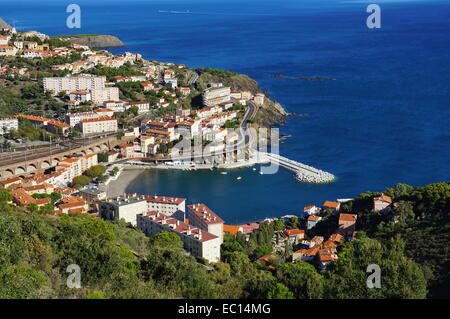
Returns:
point(400, 277)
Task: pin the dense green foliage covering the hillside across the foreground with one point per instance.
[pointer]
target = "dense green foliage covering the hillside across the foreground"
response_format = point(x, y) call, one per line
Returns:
point(117, 261)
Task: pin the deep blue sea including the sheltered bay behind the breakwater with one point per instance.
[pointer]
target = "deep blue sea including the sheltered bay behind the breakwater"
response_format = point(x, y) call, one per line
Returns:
point(384, 119)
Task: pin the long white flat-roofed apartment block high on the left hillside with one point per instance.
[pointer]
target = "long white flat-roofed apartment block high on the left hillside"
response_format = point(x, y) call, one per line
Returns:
point(74, 83)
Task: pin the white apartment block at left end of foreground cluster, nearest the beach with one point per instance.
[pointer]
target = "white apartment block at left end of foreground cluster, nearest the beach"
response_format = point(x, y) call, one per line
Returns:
point(125, 207)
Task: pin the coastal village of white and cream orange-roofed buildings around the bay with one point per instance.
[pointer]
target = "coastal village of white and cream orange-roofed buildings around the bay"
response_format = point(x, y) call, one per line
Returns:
point(102, 103)
